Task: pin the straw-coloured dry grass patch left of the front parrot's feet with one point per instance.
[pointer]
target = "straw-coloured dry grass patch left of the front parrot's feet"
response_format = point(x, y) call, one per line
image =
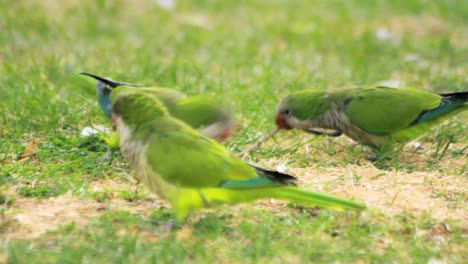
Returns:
point(31, 217)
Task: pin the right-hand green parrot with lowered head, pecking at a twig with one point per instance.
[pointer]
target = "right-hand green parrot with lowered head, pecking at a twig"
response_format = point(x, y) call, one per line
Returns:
point(377, 117)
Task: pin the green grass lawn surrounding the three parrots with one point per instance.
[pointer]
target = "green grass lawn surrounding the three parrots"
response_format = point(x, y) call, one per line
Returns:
point(253, 52)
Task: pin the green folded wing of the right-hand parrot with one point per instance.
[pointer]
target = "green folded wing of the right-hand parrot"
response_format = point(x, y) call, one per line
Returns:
point(385, 110)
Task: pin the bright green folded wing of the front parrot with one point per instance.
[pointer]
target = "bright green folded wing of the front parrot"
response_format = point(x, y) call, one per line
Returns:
point(206, 163)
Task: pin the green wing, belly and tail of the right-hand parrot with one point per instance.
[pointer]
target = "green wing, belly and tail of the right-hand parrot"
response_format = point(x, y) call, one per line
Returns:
point(399, 115)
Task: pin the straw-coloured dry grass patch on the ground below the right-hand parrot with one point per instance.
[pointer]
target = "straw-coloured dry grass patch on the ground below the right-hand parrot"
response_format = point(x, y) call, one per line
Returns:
point(432, 185)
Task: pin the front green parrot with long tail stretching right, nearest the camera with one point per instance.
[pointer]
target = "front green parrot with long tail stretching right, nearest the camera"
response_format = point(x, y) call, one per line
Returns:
point(190, 170)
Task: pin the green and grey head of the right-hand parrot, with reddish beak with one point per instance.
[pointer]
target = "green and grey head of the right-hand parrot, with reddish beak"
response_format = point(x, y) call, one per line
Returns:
point(296, 109)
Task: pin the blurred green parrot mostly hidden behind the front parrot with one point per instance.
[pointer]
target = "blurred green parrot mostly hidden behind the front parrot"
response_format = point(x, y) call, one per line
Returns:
point(210, 116)
